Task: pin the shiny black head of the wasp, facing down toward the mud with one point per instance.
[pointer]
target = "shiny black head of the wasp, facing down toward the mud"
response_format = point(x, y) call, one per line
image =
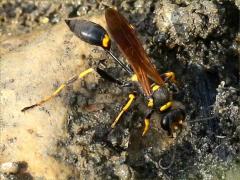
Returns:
point(173, 121)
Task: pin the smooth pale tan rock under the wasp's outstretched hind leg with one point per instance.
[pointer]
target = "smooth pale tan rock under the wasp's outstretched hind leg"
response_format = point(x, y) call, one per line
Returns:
point(30, 67)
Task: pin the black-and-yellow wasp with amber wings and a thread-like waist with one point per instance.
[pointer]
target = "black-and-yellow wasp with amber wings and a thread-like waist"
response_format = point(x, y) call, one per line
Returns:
point(153, 85)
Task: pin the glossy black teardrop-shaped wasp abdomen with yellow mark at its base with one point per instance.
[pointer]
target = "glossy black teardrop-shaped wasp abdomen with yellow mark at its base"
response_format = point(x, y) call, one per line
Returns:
point(90, 32)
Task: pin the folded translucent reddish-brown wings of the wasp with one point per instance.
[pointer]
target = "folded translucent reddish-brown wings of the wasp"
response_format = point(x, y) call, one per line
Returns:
point(127, 41)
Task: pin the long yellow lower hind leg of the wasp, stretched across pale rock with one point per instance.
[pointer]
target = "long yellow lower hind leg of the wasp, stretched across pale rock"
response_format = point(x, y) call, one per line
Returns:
point(61, 87)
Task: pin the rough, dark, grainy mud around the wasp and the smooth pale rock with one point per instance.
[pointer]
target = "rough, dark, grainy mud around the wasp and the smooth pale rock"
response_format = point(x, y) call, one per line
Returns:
point(199, 41)
